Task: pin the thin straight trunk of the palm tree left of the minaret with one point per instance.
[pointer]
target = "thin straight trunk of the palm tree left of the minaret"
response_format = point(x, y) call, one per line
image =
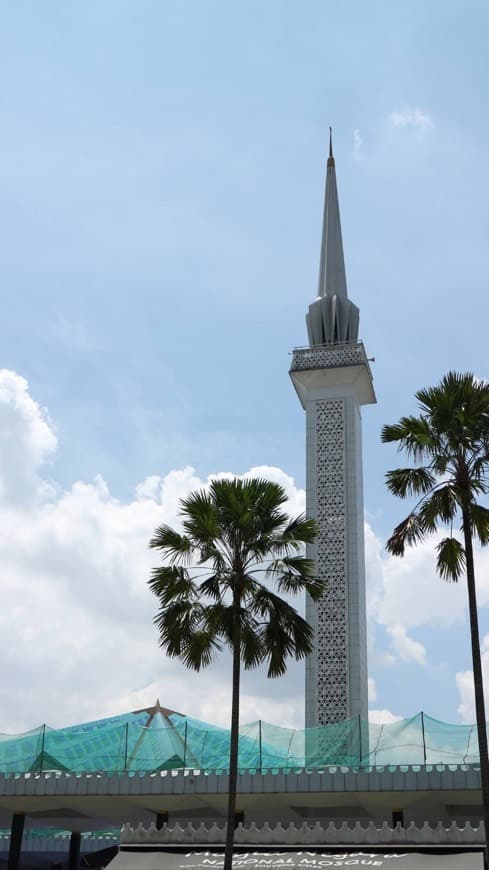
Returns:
point(234, 743)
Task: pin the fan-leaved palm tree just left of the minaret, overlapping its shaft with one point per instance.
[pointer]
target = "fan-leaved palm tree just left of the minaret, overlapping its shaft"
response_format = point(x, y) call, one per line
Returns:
point(214, 589)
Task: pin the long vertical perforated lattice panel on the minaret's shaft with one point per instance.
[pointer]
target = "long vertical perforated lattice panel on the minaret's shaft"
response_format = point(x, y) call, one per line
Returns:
point(332, 612)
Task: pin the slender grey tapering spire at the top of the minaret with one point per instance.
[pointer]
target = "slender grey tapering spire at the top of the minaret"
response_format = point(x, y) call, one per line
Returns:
point(332, 275)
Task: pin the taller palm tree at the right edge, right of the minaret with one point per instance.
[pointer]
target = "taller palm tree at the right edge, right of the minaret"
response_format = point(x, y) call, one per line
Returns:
point(449, 441)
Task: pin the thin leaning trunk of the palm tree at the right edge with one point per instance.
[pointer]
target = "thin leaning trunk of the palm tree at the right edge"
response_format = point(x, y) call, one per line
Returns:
point(480, 712)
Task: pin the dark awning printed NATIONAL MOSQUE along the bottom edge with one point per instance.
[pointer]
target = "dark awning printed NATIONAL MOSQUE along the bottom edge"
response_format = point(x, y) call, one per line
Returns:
point(141, 858)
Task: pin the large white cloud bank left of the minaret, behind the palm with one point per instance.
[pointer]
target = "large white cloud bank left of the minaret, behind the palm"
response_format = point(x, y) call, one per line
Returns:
point(76, 632)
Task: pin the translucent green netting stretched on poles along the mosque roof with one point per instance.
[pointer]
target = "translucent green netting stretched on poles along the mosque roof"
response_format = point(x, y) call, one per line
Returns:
point(137, 742)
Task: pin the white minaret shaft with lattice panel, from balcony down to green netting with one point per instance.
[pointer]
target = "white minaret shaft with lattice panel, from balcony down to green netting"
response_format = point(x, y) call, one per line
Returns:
point(336, 672)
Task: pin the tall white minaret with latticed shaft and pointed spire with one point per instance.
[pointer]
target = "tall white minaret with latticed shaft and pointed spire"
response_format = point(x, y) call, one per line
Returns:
point(333, 380)
